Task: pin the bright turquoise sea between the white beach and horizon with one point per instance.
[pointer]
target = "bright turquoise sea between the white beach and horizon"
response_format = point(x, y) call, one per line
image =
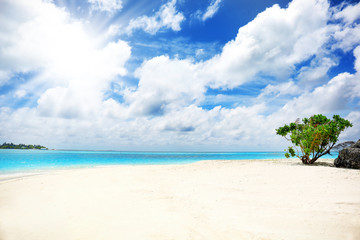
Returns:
point(25, 160)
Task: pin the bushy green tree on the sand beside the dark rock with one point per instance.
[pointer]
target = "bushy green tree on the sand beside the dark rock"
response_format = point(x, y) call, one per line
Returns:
point(315, 136)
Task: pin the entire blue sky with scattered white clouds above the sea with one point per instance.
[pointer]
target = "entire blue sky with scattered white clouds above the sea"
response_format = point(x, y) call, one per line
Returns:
point(175, 75)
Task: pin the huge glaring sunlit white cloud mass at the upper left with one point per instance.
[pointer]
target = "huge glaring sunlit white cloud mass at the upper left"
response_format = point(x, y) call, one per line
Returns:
point(72, 71)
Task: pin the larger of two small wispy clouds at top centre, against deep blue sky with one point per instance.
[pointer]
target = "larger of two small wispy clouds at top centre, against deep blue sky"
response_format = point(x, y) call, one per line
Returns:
point(166, 18)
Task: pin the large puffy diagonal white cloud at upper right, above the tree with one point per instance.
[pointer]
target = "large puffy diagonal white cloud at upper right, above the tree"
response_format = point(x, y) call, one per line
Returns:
point(272, 44)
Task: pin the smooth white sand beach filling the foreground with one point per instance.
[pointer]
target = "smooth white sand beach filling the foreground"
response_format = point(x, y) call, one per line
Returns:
point(206, 200)
